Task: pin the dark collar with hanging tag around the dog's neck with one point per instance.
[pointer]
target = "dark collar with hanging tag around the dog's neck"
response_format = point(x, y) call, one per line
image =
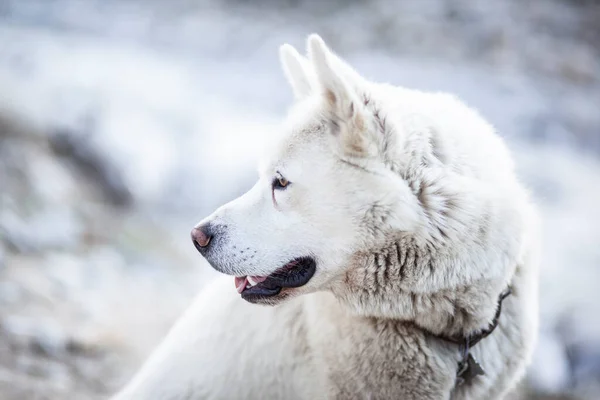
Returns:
point(468, 367)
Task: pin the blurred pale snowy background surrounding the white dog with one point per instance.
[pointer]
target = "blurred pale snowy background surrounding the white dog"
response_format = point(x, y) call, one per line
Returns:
point(124, 122)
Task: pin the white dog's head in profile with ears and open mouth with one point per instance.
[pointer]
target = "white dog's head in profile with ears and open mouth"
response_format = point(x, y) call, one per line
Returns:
point(324, 191)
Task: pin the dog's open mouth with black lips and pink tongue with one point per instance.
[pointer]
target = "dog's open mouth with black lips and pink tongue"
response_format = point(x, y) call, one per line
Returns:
point(294, 274)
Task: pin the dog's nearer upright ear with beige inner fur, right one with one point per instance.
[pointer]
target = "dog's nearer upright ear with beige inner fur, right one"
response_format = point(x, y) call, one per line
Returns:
point(345, 111)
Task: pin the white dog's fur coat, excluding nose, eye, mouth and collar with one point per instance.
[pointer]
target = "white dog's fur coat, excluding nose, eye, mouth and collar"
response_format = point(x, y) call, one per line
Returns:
point(409, 203)
